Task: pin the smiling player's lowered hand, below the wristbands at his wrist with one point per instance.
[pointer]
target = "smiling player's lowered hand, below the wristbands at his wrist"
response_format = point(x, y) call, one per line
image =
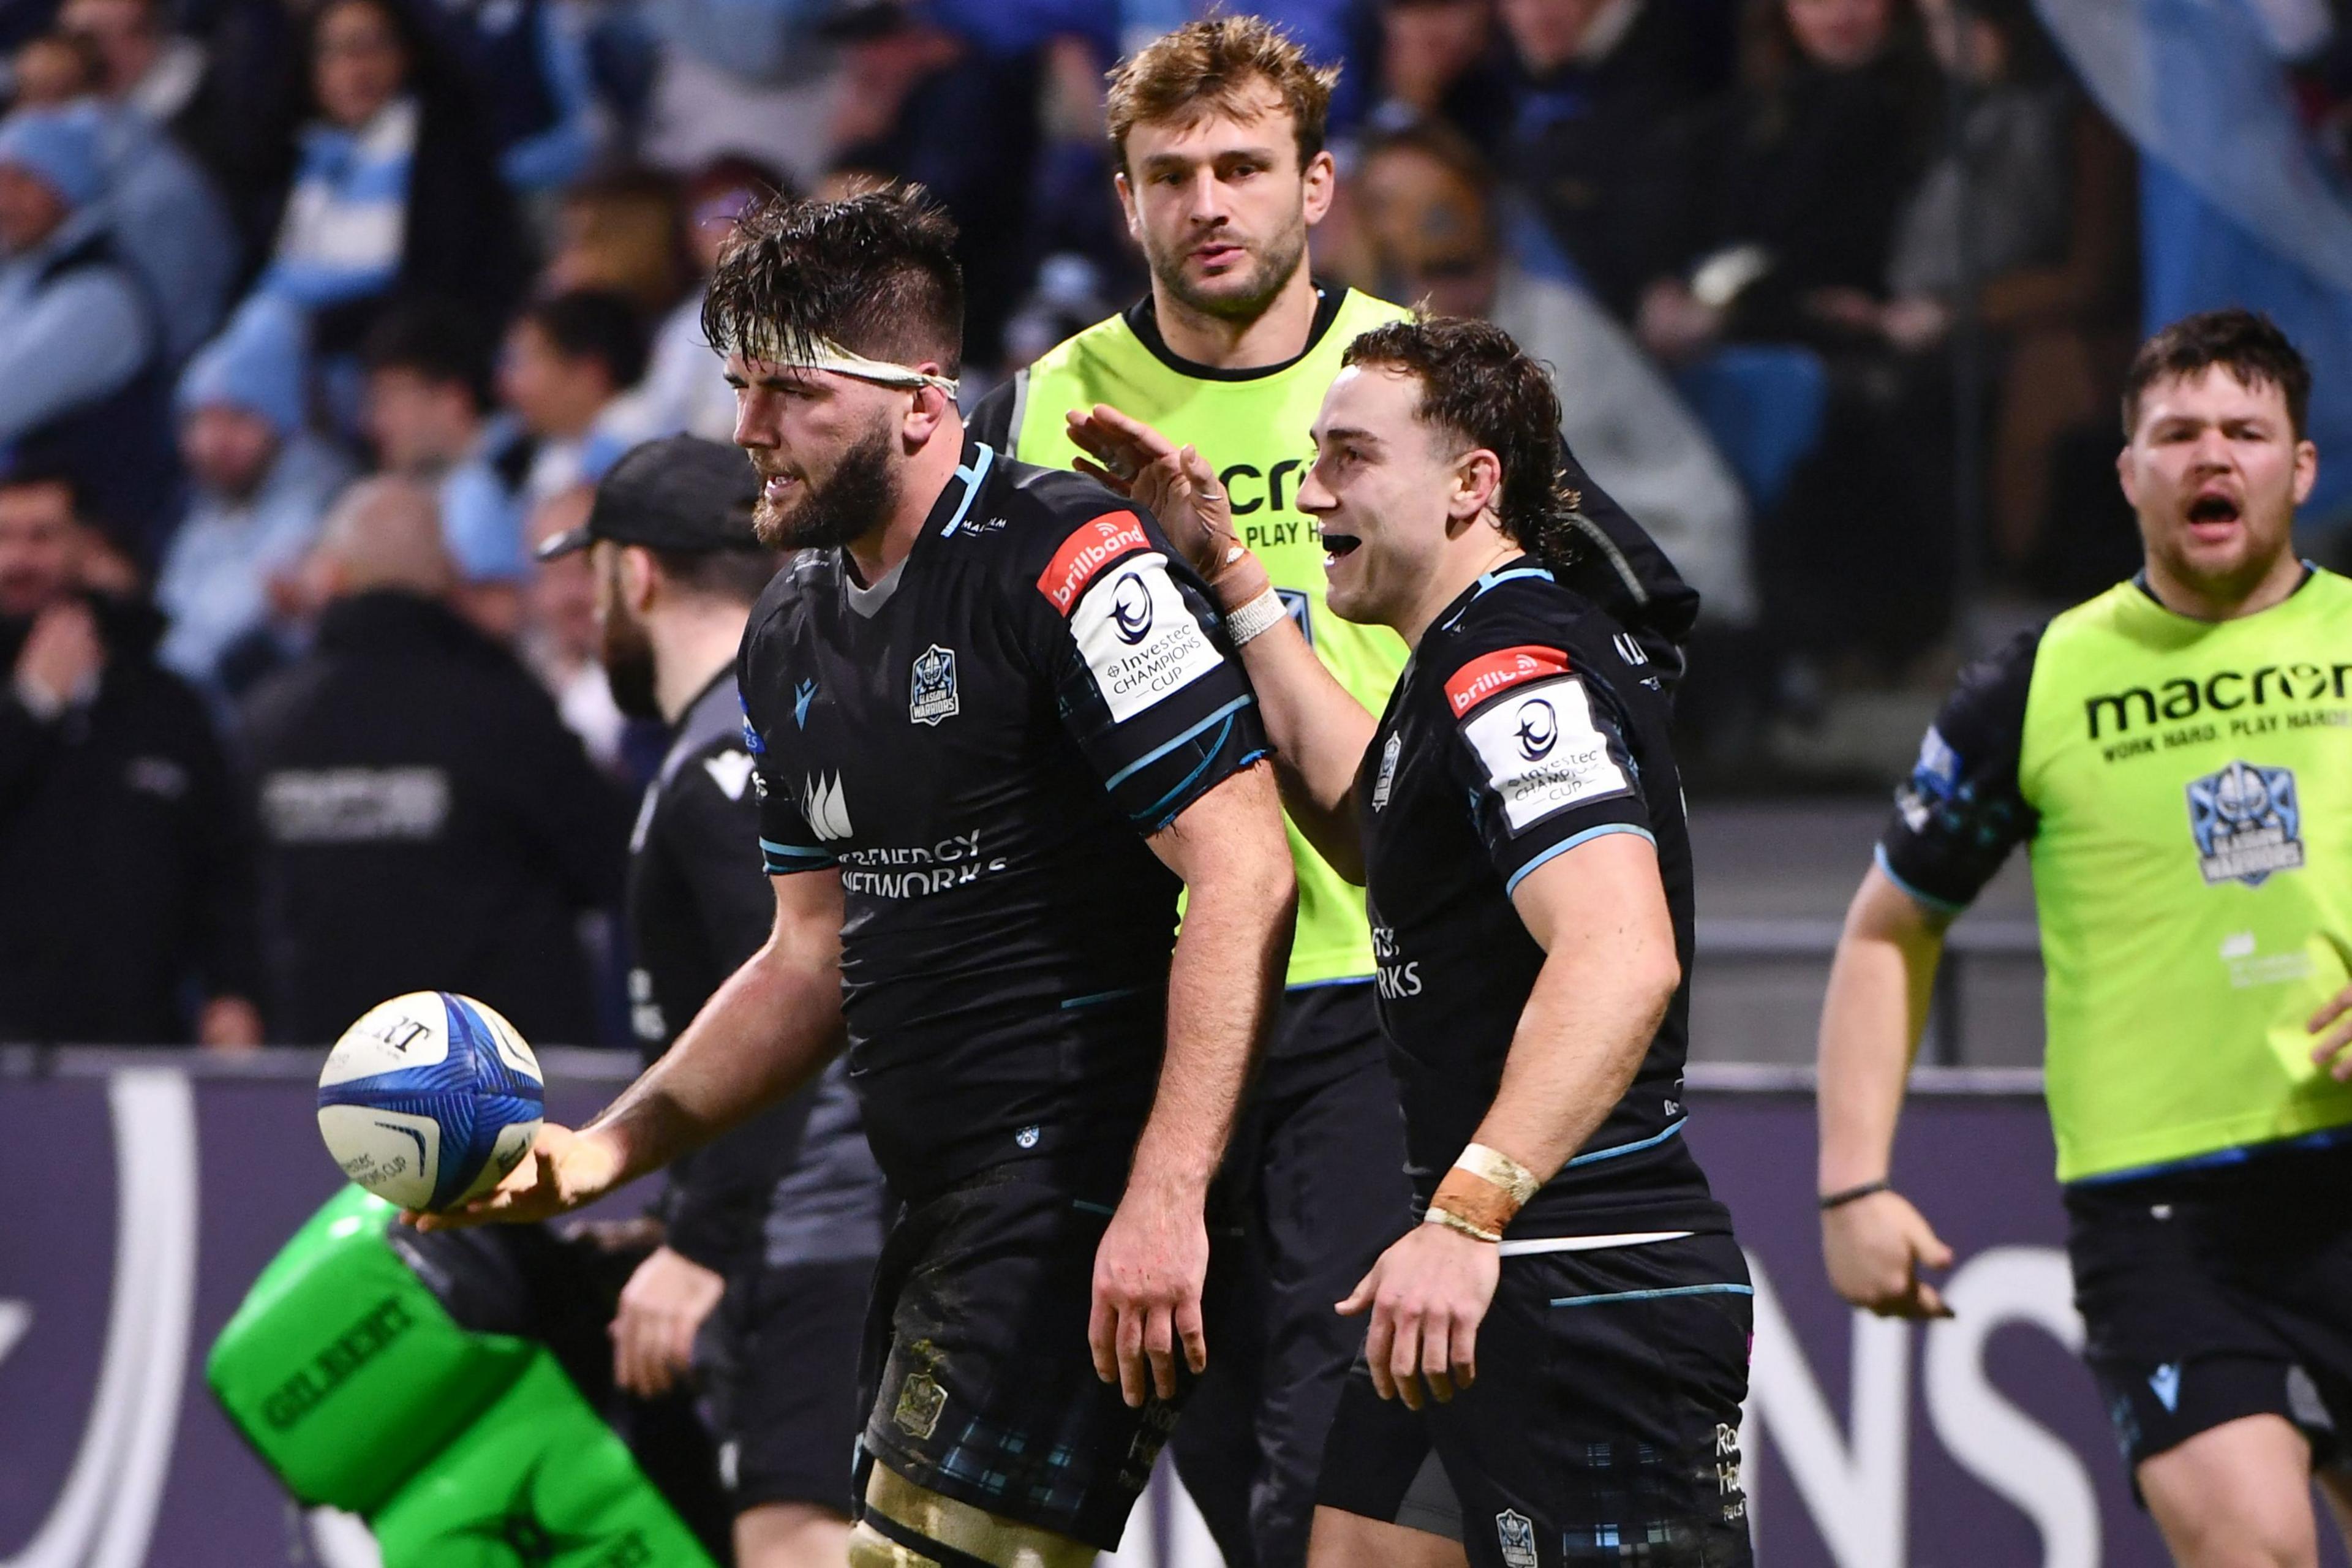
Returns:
point(1426, 1294)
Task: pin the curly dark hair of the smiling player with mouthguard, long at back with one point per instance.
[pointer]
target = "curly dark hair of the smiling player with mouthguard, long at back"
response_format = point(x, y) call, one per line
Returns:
point(1483, 389)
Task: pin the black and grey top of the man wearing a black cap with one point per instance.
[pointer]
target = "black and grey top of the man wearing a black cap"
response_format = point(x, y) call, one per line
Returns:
point(697, 909)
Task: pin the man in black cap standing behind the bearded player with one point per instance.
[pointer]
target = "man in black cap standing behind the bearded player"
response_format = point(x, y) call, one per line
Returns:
point(784, 1214)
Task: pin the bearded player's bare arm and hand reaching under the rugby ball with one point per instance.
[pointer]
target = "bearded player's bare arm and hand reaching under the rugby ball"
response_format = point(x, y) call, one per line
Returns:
point(766, 1033)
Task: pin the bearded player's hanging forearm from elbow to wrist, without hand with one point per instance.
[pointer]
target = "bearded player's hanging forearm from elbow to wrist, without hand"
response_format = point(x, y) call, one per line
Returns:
point(1224, 979)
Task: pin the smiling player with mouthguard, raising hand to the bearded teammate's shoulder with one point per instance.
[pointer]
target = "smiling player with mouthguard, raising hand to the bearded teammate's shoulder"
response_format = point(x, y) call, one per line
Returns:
point(1565, 1334)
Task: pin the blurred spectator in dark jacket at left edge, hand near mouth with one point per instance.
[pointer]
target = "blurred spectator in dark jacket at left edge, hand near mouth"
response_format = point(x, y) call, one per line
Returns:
point(121, 838)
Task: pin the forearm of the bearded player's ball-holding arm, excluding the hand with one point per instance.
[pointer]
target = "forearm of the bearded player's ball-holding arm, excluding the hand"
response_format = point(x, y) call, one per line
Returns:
point(763, 1036)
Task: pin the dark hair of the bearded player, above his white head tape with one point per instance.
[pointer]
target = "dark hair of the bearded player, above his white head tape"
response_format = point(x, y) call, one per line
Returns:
point(874, 274)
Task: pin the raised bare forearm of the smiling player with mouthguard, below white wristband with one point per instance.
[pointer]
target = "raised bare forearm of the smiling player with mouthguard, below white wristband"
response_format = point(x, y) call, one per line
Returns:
point(1321, 735)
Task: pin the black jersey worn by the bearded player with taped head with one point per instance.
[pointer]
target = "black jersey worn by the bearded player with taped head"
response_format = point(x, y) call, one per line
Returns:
point(982, 744)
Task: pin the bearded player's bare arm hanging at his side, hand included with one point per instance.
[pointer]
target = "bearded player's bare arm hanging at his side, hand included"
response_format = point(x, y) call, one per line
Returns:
point(1241, 897)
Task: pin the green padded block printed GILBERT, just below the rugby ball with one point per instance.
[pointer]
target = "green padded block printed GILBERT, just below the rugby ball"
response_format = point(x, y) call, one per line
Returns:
point(345, 1372)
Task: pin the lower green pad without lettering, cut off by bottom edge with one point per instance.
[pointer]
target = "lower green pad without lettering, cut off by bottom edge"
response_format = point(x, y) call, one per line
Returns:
point(540, 1482)
